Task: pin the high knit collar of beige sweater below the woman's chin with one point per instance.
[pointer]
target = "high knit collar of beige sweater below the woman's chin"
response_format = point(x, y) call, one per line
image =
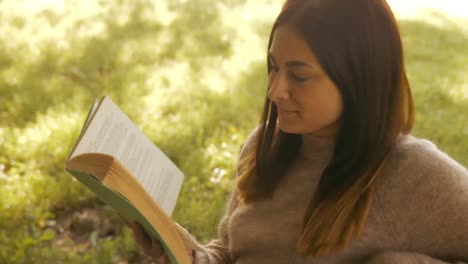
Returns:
point(316, 147)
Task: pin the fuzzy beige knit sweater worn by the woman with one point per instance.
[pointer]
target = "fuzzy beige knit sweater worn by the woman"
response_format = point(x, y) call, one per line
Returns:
point(418, 214)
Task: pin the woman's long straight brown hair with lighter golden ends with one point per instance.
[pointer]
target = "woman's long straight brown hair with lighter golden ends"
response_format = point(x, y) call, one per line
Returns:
point(358, 44)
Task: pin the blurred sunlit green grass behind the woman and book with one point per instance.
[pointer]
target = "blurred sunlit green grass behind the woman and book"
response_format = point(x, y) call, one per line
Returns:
point(192, 75)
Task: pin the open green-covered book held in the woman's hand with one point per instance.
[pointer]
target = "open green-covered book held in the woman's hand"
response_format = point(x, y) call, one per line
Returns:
point(115, 160)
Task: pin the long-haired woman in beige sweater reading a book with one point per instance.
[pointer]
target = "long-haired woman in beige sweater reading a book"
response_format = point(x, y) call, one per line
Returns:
point(332, 174)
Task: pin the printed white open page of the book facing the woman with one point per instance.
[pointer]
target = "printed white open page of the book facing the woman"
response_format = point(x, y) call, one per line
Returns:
point(111, 132)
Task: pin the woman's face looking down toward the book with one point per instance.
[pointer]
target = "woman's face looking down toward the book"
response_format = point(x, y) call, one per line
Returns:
point(308, 101)
